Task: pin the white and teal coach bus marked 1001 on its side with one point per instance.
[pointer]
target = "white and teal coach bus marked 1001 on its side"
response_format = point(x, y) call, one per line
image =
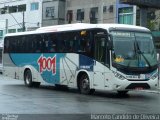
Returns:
point(87, 57)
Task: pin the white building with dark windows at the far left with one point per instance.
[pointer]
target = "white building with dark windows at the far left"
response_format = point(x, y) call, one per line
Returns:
point(21, 14)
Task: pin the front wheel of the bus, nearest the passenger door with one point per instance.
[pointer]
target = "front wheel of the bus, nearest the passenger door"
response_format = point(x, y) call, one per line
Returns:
point(84, 85)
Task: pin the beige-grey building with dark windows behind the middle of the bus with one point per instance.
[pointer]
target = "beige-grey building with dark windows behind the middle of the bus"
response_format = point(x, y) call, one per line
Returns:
point(90, 11)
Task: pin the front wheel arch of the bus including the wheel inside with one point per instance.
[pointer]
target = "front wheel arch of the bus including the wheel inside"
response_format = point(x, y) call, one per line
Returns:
point(83, 83)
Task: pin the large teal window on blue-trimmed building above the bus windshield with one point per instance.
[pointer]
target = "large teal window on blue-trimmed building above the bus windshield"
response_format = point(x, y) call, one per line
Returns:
point(125, 15)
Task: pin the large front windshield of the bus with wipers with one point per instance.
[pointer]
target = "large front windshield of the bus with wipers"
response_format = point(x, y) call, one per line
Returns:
point(133, 49)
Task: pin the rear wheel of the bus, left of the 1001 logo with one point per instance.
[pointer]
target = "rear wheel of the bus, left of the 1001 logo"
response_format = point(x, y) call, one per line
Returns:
point(28, 78)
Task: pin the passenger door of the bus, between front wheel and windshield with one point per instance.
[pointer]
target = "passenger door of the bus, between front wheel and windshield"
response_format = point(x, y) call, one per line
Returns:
point(99, 56)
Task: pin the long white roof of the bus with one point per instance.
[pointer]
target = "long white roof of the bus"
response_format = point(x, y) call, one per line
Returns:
point(80, 26)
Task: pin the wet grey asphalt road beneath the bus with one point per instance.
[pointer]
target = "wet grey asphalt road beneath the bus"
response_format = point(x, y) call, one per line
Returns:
point(15, 99)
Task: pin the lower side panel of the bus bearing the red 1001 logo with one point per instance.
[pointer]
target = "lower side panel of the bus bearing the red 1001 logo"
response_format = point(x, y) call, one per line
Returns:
point(49, 68)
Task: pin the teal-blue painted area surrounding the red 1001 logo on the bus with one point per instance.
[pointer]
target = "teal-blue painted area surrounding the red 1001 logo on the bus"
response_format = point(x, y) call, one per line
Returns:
point(21, 60)
